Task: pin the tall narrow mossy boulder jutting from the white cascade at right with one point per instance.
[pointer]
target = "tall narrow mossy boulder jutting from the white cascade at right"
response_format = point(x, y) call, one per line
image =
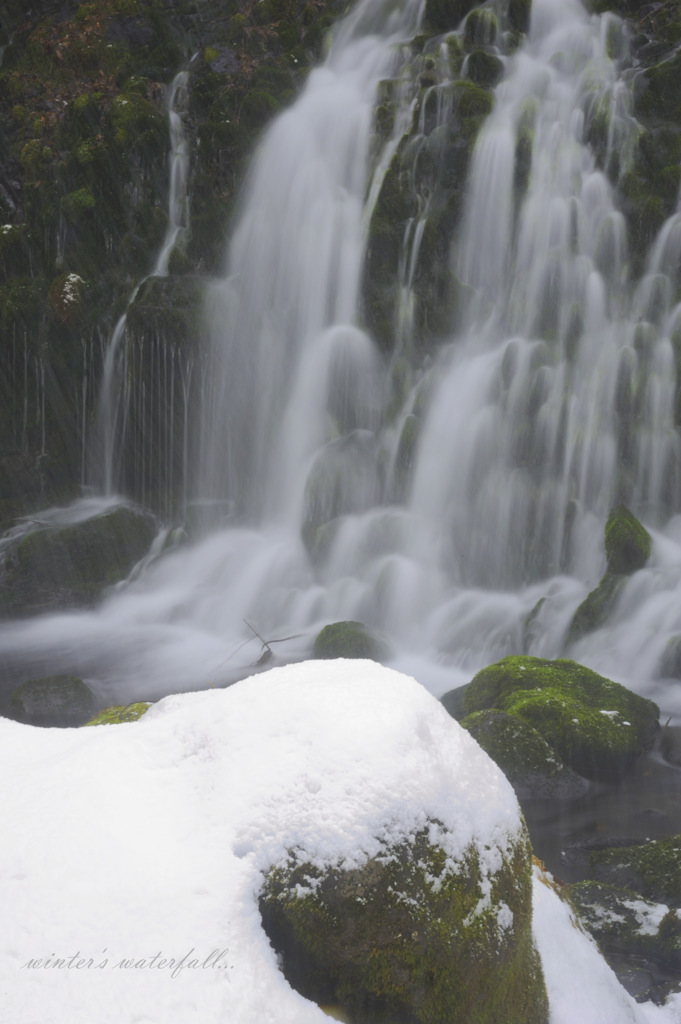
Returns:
point(628, 547)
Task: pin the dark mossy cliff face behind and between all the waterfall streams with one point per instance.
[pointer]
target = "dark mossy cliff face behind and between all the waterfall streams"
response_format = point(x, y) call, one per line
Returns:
point(84, 182)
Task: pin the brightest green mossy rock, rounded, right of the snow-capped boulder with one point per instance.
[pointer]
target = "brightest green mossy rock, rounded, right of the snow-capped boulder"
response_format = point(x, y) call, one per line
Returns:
point(597, 727)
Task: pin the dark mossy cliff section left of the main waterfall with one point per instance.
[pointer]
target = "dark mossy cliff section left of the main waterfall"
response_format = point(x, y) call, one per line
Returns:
point(84, 189)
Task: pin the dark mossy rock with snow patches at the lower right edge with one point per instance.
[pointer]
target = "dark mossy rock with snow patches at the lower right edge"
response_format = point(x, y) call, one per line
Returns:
point(622, 922)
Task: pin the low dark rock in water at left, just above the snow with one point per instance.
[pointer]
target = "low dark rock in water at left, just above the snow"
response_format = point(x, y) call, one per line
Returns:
point(62, 702)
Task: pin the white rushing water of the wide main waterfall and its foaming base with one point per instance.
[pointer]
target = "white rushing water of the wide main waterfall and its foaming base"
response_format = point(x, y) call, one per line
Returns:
point(534, 421)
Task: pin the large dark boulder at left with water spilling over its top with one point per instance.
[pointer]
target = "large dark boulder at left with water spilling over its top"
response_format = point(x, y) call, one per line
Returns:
point(71, 566)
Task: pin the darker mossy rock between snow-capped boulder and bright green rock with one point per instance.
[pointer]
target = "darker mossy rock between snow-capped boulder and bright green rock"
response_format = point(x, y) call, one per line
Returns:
point(531, 765)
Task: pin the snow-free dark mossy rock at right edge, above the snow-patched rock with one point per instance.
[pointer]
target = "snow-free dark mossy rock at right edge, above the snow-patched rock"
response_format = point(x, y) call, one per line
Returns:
point(653, 869)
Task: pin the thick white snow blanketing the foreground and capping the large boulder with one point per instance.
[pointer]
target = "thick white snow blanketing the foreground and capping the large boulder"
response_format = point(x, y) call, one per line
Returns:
point(133, 855)
